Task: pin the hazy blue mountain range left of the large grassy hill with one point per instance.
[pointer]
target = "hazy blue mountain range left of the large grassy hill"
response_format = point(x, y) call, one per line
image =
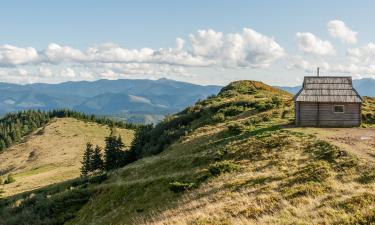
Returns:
point(134, 100)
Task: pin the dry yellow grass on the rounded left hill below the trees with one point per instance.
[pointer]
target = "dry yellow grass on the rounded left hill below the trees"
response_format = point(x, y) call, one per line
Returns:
point(53, 154)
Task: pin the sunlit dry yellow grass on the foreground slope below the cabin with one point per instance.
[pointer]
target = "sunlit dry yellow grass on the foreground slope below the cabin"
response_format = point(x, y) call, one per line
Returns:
point(259, 193)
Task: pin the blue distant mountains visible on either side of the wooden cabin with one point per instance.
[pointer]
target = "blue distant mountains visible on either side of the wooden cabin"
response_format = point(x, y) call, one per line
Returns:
point(365, 87)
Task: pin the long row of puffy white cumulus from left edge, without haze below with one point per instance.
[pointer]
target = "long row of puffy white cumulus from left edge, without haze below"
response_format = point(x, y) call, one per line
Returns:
point(207, 48)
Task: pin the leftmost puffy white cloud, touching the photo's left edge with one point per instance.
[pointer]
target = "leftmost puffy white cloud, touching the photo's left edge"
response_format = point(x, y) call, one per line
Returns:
point(11, 55)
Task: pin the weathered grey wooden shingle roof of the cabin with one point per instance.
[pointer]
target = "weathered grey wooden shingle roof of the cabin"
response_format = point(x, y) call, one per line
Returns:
point(328, 89)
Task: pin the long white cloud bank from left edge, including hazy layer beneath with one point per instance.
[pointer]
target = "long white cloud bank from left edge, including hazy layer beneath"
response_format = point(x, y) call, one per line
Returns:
point(204, 49)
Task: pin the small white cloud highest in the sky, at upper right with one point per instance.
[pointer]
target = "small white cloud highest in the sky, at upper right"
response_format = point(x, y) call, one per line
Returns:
point(338, 29)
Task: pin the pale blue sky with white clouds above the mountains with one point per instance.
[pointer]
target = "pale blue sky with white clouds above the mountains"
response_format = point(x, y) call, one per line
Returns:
point(277, 42)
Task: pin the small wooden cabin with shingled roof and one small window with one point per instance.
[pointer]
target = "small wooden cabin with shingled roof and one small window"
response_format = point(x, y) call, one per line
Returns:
point(328, 102)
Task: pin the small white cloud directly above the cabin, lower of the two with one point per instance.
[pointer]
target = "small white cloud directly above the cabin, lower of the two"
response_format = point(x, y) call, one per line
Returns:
point(311, 44)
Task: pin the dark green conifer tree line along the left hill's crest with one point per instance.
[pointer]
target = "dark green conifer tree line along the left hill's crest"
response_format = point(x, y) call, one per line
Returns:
point(15, 126)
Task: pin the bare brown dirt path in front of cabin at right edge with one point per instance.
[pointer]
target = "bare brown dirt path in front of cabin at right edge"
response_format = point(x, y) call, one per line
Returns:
point(359, 141)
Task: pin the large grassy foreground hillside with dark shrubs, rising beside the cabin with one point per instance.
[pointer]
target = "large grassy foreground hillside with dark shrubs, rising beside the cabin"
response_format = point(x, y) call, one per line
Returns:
point(233, 158)
